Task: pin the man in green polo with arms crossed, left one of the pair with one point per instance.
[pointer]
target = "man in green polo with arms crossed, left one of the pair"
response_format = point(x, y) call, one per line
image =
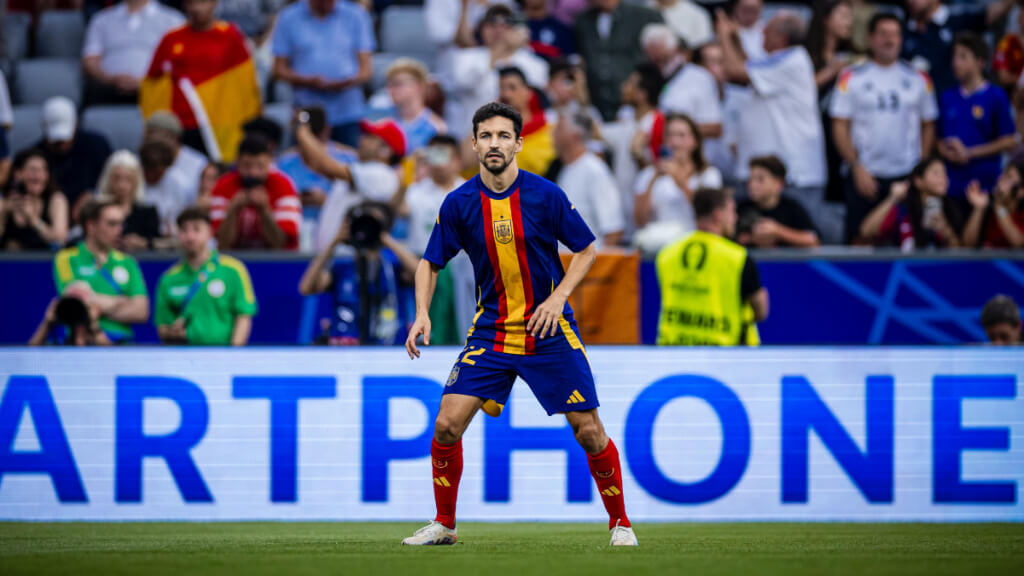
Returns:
point(102, 276)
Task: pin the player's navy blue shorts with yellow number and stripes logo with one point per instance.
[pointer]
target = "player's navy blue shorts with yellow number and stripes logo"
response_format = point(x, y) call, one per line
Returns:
point(561, 378)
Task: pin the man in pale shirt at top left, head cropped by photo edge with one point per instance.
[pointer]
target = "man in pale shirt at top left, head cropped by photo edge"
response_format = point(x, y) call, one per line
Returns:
point(119, 45)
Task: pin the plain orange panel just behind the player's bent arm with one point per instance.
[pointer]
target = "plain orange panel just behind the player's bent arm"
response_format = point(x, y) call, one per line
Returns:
point(607, 304)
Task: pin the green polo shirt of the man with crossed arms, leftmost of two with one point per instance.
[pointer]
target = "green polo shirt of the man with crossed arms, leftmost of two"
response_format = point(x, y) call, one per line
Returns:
point(119, 276)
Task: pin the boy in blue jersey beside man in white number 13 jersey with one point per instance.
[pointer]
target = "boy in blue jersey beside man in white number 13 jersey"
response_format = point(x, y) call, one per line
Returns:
point(976, 125)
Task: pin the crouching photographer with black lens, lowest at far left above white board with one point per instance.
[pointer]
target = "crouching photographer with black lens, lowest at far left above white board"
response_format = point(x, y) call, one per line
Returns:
point(70, 321)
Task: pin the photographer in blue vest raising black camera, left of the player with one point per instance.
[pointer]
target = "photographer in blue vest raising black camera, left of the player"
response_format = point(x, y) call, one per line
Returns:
point(364, 290)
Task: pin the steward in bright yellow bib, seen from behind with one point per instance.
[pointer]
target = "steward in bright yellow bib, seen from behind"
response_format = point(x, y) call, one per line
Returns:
point(711, 291)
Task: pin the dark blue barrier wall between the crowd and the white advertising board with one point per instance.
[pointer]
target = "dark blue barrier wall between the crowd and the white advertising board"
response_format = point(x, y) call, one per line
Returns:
point(842, 298)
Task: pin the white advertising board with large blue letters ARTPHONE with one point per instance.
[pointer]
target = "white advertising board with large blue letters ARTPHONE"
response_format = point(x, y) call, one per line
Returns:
point(706, 435)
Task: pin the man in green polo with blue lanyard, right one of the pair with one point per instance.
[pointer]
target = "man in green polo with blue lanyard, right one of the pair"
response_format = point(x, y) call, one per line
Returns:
point(207, 298)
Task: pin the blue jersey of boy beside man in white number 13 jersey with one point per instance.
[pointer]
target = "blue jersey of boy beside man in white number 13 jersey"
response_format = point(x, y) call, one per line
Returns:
point(976, 119)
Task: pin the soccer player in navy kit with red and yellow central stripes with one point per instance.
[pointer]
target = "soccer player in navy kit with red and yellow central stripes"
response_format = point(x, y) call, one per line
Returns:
point(510, 223)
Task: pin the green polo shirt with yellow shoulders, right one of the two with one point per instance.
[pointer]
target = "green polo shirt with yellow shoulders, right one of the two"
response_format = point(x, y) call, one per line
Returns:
point(209, 299)
